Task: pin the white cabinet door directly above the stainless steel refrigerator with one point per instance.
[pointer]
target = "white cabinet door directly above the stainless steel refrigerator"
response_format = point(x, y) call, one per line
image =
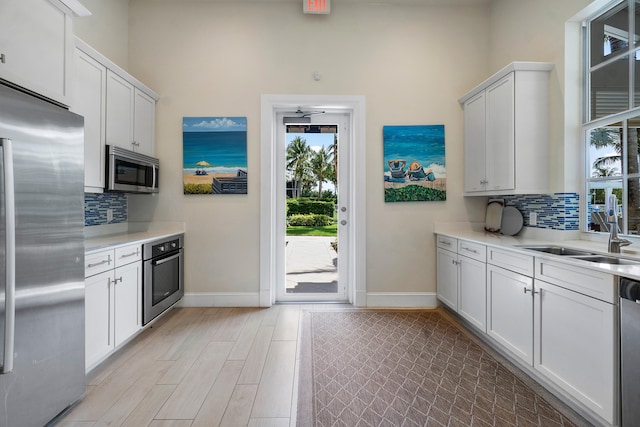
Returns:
point(37, 43)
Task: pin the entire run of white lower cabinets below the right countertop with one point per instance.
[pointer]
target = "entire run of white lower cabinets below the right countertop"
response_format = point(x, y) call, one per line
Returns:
point(558, 319)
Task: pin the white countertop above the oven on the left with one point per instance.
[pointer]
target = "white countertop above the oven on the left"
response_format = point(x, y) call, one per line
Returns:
point(129, 234)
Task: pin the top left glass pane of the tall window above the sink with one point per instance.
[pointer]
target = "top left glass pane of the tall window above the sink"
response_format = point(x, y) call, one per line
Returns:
point(609, 34)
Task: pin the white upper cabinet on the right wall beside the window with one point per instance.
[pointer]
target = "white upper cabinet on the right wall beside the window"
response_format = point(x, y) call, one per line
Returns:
point(506, 132)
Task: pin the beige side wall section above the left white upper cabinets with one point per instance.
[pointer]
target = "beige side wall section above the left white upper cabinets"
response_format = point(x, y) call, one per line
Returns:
point(107, 29)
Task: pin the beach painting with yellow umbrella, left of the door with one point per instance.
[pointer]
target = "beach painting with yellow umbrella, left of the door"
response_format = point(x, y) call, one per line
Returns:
point(214, 155)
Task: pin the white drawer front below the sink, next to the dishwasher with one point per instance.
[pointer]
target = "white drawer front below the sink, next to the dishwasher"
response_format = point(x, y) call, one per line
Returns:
point(595, 284)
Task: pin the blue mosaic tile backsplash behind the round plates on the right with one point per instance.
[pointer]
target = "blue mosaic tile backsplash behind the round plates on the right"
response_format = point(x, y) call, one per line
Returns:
point(559, 211)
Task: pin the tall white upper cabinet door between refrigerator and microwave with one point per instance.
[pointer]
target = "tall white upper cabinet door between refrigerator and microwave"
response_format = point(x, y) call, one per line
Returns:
point(89, 101)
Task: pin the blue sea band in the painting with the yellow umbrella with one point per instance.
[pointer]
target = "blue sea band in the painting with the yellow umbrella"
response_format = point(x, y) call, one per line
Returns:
point(226, 152)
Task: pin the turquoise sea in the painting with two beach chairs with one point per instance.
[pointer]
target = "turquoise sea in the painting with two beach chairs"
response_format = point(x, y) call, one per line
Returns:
point(422, 143)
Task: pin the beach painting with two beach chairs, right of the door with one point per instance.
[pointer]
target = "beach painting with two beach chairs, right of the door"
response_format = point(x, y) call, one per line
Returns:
point(414, 163)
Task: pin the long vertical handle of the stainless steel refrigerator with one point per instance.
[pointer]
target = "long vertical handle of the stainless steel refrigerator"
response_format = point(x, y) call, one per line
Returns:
point(10, 256)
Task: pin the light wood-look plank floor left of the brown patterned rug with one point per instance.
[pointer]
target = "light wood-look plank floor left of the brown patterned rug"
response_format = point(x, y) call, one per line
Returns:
point(200, 367)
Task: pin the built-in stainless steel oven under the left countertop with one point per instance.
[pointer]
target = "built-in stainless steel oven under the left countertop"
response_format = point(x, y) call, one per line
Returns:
point(163, 276)
